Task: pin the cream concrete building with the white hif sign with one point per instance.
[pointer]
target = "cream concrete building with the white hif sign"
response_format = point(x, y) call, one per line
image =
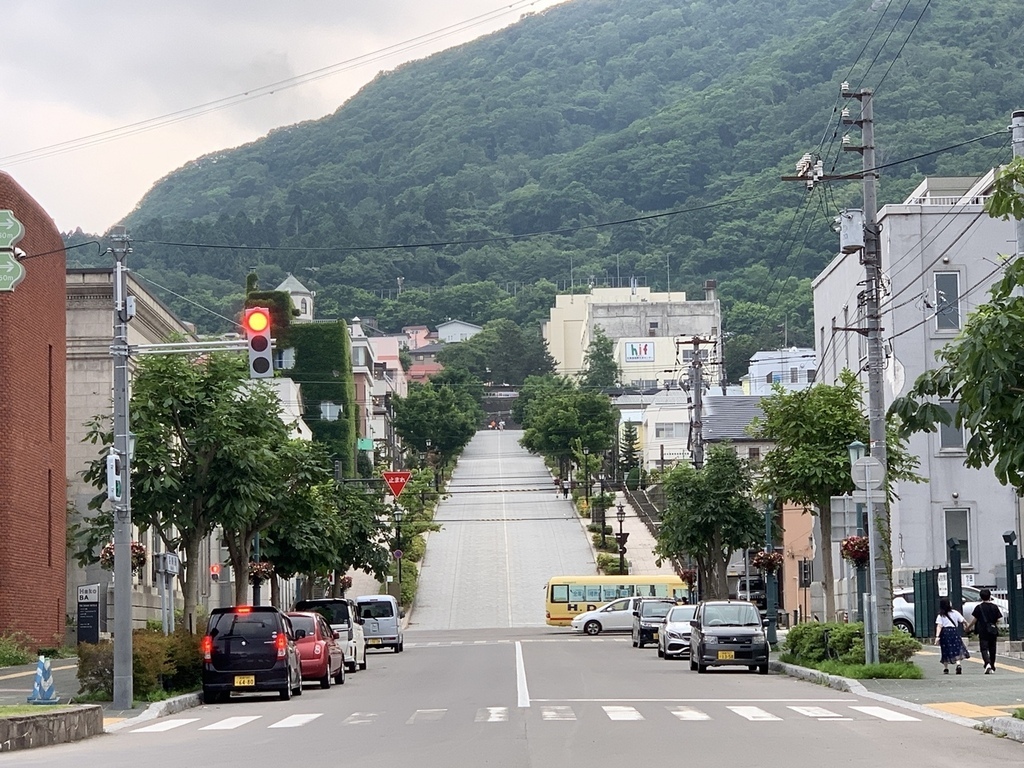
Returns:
point(645, 327)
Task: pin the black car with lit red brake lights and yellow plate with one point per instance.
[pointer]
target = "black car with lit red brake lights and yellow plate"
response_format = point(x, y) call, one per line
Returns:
point(249, 649)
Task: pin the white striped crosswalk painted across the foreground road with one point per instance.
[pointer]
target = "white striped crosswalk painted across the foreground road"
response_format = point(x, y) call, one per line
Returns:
point(775, 713)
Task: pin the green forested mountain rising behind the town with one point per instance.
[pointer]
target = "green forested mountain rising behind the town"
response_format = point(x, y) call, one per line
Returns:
point(594, 112)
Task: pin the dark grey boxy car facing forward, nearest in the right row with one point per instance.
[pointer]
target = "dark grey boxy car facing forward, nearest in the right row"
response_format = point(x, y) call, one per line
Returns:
point(729, 633)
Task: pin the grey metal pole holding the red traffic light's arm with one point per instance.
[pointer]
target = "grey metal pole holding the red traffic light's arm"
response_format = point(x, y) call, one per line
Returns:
point(124, 311)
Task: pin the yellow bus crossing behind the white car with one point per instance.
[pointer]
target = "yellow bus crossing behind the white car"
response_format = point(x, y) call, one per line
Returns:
point(569, 596)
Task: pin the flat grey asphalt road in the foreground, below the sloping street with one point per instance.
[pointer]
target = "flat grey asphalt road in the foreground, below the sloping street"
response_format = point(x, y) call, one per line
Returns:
point(508, 699)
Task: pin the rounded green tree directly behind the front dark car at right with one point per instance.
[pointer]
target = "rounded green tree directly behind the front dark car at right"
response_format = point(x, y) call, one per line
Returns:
point(709, 515)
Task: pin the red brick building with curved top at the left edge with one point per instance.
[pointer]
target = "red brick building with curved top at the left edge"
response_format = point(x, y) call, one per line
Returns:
point(33, 484)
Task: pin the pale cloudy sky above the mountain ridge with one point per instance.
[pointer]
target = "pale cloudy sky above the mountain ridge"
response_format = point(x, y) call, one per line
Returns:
point(88, 87)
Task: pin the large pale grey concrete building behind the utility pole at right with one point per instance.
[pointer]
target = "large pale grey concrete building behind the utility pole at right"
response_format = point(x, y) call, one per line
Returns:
point(941, 253)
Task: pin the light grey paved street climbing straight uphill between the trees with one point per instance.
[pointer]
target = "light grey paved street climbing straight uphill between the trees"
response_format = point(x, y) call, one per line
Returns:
point(503, 535)
